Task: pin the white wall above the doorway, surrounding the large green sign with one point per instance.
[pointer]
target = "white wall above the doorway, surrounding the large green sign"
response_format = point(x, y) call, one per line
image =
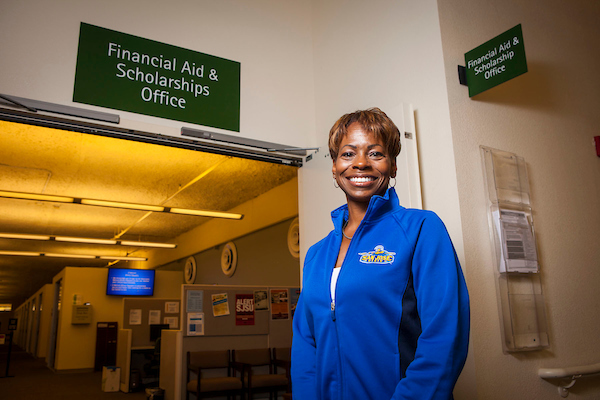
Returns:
point(271, 39)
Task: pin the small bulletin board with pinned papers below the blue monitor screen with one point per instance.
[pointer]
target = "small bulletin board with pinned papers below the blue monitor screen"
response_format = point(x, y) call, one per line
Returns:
point(138, 313)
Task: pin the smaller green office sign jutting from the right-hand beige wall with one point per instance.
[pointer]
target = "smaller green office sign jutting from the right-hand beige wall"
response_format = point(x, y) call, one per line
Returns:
point(496, 61)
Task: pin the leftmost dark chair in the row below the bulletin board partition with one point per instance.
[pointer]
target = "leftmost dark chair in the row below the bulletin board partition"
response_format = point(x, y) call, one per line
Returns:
point(204, 387)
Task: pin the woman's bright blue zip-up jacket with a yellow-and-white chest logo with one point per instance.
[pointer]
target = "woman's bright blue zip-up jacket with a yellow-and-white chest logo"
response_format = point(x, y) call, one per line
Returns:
point(400, 325)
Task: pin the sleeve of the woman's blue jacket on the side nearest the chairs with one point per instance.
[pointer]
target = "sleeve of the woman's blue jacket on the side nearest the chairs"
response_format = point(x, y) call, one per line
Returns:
point(304, 380)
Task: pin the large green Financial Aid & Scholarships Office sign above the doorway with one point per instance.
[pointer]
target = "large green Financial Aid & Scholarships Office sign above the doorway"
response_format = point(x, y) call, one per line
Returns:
point(130, 73)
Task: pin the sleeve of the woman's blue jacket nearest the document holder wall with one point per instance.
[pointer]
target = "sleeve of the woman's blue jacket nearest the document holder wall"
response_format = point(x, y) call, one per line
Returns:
point(443, 308)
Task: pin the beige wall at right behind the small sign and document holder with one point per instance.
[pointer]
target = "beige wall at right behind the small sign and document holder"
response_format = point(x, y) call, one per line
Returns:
point(549, 116)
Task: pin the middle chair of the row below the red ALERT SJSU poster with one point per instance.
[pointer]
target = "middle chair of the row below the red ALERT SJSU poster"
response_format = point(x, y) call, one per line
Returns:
point(260, 373)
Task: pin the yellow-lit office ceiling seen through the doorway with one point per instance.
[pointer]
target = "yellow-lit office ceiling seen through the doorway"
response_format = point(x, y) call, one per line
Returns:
point(50, 161)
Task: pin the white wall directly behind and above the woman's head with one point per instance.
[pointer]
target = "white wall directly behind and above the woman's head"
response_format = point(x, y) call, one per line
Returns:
point(382, 54)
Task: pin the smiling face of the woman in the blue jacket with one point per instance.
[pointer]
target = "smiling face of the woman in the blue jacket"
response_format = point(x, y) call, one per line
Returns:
point(363, 167)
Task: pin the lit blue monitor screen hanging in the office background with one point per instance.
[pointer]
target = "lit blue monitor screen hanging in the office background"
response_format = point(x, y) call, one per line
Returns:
point(130, 282)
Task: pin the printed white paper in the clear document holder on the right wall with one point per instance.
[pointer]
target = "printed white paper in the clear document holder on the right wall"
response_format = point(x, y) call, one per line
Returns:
point(518, 244)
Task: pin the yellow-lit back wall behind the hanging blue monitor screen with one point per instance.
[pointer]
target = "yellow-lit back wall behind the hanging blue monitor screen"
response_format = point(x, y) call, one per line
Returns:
point(76, 344)
